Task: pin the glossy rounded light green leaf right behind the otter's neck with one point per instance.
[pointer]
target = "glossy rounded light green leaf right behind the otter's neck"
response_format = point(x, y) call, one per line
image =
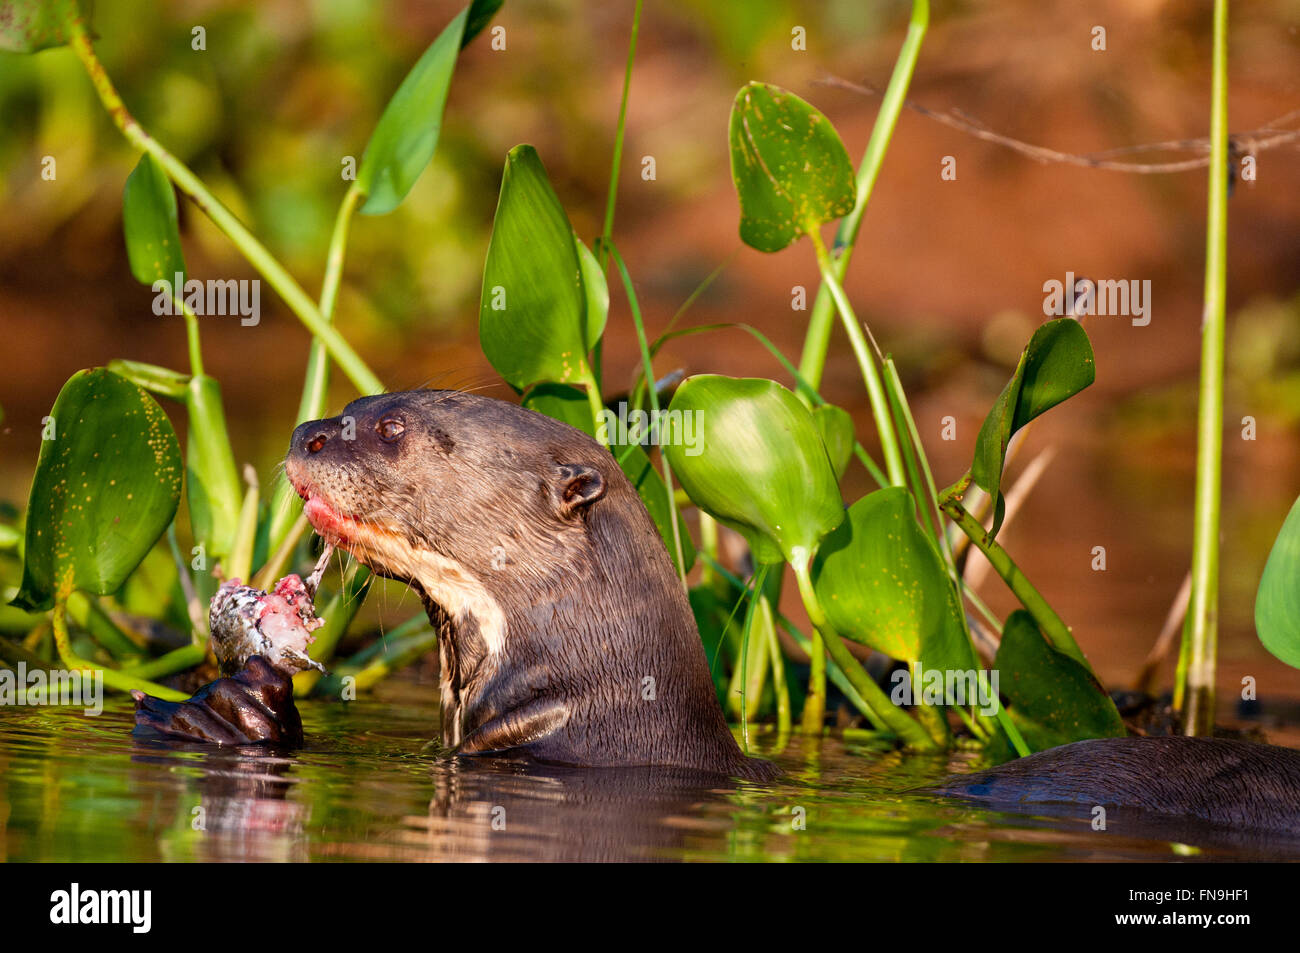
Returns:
point(759, 465)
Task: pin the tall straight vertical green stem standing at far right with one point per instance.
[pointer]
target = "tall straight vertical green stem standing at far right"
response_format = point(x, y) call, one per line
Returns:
point(1201, 633)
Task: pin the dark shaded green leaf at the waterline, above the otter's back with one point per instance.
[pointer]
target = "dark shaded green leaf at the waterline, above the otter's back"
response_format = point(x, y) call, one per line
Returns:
point(1054, 699)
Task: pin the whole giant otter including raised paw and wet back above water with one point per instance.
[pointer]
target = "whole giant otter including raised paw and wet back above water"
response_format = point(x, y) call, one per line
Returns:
point(567, 638)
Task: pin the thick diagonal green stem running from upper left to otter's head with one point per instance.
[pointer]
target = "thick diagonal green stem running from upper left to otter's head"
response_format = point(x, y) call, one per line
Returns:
point(190, 185)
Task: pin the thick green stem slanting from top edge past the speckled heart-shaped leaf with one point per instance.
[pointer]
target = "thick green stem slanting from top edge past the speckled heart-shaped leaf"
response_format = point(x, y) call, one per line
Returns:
point(821, 322)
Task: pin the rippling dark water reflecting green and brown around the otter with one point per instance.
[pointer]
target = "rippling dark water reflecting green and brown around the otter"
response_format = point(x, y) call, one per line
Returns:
point(370, 789)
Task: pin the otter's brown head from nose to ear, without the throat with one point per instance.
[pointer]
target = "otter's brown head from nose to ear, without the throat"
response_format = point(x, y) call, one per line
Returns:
point(460, 476)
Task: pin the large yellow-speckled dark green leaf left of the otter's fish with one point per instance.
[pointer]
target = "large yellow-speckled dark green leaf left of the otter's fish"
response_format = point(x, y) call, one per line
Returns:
point(105, 491)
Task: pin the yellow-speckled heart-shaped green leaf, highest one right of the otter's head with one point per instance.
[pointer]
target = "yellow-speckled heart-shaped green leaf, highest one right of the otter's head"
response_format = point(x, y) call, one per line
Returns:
point(792, 174)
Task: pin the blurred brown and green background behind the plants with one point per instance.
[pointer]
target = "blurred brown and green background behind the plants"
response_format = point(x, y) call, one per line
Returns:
point(948, 275)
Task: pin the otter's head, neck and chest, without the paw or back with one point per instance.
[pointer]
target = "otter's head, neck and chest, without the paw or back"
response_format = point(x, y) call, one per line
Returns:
point(565, 633)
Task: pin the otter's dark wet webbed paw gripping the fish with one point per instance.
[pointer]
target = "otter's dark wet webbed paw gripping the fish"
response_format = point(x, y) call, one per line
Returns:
point(254, 707)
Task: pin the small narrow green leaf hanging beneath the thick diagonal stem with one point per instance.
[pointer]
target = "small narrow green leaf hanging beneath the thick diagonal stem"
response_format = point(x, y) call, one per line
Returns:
point(150, 223)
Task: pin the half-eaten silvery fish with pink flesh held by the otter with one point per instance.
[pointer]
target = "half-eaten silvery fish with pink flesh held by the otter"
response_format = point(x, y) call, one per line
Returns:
point(279, 626)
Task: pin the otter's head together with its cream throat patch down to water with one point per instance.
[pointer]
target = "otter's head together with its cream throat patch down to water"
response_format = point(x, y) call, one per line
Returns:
point(482, 506)
